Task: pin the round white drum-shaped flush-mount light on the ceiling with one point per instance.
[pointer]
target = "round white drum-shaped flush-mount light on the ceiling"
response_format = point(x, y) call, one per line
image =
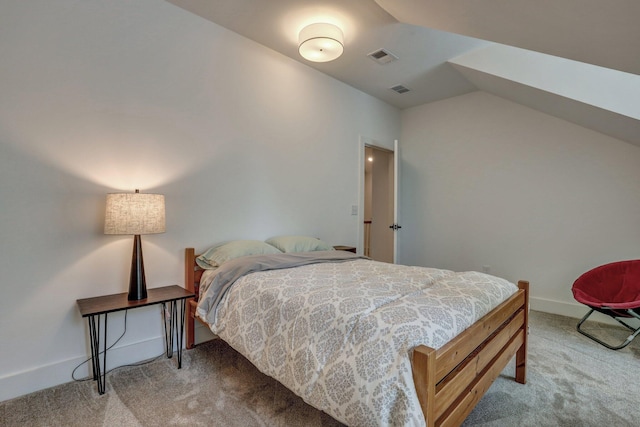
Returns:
point(320, 42)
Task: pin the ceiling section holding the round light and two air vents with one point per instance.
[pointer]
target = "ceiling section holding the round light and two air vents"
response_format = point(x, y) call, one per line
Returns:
point(423, 52)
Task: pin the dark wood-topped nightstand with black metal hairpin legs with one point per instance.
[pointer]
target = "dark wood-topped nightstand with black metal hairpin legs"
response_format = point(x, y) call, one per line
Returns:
point(94, 308)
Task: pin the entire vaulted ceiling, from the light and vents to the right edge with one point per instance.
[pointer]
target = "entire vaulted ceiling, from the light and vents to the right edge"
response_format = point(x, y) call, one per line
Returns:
point(575, 59)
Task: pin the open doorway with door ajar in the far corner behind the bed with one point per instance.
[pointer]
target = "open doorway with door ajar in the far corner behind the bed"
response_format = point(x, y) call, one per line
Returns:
point(379, 203)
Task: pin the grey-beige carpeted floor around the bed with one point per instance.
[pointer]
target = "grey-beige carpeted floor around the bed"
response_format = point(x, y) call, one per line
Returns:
point(572, 381)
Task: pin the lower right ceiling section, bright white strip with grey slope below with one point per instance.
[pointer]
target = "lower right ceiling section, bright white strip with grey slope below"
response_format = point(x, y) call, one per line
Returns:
point(594, 97)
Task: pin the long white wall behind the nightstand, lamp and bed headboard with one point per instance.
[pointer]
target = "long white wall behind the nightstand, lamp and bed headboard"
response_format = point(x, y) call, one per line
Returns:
point(102, 96)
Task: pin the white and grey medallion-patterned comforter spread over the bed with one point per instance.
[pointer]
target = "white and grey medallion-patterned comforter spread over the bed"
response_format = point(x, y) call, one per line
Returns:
point(340, 335)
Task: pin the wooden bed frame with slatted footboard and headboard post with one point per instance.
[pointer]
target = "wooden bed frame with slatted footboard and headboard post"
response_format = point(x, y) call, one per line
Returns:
point(449, 381)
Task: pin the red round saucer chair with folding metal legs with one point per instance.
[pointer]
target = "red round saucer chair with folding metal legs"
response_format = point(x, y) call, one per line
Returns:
point(612, 289)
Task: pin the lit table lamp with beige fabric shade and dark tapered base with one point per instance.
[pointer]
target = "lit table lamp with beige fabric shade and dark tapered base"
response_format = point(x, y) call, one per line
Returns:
point(135, 213)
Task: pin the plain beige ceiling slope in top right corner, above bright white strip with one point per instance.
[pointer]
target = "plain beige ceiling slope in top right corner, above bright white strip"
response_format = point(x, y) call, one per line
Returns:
point(599, 32)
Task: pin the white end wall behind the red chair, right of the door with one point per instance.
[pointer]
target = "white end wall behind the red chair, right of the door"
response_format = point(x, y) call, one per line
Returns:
point(487, 182)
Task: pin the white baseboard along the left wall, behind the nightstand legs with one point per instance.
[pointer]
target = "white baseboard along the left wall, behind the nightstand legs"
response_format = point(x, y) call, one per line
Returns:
point(45, 376)
